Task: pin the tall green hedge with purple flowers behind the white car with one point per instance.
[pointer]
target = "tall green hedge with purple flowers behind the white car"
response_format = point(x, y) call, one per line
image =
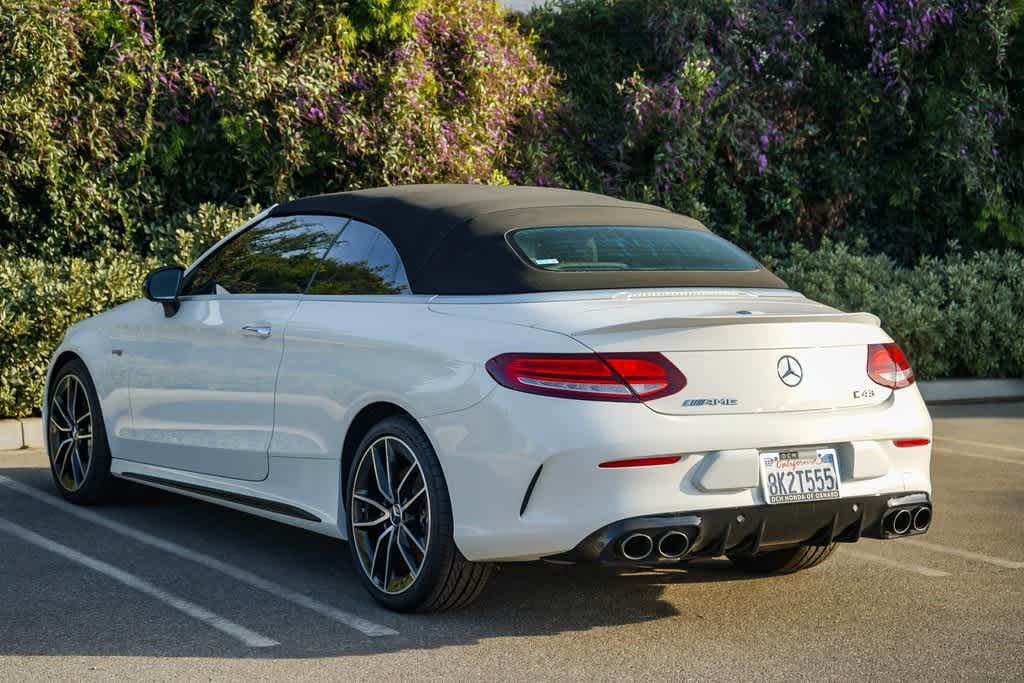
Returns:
point(131, 130)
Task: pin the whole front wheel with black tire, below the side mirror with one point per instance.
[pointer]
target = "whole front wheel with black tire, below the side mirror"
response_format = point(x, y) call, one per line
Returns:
point(79, 453)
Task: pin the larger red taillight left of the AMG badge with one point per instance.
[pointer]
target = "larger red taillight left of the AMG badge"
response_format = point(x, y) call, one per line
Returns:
point(622, 377)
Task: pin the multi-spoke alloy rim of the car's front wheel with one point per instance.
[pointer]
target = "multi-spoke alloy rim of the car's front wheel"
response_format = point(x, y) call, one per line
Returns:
point(70, 426)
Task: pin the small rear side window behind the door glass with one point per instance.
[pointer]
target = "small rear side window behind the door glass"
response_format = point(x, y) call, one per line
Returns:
point(362, 262)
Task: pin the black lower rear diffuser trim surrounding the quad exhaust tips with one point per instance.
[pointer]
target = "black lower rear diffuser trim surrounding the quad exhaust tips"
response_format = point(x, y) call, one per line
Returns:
point(751, 530)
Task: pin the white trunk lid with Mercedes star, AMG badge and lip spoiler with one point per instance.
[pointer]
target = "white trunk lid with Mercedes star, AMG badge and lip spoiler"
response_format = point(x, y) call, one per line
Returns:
point(742, 352)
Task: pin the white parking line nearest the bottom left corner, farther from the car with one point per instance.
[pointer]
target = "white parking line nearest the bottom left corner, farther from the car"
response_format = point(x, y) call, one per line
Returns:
point(250, 638)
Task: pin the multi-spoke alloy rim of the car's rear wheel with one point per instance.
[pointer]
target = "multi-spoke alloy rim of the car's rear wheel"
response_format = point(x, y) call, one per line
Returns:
point(391, 515)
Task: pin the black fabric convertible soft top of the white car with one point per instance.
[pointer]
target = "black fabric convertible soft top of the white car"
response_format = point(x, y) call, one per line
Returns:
point(452, 239)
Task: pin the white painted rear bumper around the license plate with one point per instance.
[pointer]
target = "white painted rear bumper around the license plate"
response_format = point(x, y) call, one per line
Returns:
point(491, 455)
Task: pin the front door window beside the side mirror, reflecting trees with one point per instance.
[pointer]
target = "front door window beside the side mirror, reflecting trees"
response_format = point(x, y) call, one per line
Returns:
point(276, 257)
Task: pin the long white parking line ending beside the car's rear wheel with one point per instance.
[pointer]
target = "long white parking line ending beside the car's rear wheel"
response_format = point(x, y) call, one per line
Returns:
point(358, 623)
